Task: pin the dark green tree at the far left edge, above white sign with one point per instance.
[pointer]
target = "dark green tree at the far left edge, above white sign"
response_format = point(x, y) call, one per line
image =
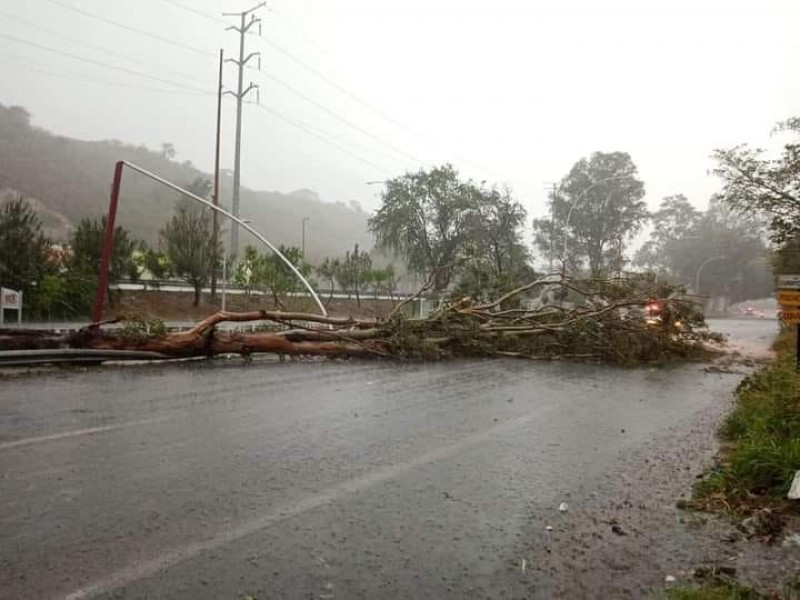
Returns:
point(23, 247)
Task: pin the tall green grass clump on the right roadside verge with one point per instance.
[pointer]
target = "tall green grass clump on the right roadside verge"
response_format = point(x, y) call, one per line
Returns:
point(763, 435)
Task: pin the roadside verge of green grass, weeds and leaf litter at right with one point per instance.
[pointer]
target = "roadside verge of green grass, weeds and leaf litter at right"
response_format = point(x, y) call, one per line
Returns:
point(751, 480)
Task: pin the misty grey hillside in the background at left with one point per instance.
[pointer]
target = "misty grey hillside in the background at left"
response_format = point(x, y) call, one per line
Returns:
point(69, 179)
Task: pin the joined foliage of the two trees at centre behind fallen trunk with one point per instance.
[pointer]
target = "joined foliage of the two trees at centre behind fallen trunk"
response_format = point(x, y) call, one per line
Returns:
point(459, 235)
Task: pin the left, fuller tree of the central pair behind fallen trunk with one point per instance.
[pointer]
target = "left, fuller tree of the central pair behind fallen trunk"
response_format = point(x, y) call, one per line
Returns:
point(424, 218)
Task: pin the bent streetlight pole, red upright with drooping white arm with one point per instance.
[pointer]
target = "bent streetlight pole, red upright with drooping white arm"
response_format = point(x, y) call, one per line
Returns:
point(108, 240)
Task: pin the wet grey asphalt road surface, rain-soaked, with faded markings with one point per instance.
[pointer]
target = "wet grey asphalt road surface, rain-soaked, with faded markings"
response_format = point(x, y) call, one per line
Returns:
point(319, 480)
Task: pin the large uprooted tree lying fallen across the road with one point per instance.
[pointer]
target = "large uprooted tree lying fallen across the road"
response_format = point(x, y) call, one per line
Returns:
point(581, 319)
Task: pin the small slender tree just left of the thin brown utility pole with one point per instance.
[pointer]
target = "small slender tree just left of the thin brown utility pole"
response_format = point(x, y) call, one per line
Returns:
point(189, 245)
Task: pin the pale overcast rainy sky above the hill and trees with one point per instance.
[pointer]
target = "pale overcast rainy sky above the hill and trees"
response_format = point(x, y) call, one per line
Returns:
point(509, 91)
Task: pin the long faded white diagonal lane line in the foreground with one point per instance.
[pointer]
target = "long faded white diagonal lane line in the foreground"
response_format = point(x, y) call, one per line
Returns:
point(142, 570)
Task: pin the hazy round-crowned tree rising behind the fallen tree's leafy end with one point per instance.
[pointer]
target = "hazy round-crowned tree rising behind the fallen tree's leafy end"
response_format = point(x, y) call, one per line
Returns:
point(595, 211)
